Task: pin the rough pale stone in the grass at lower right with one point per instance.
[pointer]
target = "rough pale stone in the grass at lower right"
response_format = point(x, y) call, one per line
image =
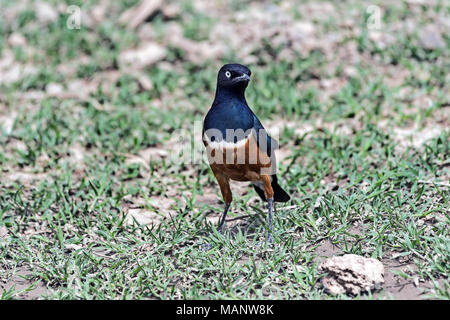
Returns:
point(351, 274)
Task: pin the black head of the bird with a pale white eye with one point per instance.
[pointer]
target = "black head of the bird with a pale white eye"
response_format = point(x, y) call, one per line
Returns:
point(233, 76)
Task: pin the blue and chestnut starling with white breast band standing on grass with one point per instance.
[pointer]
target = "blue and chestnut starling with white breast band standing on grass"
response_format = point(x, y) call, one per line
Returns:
point(238, 147)
